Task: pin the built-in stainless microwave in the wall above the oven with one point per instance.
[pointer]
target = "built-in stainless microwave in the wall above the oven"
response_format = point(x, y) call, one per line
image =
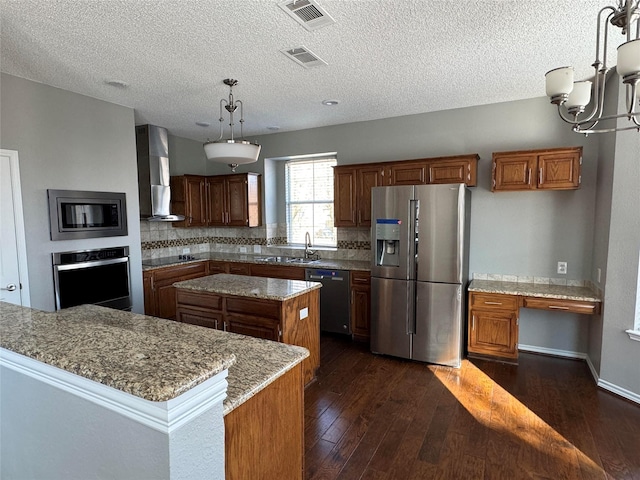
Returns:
point(77, 214)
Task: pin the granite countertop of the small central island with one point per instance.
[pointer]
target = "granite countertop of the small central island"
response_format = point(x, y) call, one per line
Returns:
point(248, 286)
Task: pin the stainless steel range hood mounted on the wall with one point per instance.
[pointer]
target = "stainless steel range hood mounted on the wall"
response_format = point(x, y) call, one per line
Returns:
point(152, 145)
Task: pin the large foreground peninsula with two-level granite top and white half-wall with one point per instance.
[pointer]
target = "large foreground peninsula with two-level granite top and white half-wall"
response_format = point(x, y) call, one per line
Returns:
point(90, 391)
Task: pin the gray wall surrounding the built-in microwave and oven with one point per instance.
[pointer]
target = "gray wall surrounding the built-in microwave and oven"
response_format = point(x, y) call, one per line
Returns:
point(71, 142)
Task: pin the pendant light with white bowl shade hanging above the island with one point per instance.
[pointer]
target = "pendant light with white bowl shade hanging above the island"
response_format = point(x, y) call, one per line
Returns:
point(232, 152)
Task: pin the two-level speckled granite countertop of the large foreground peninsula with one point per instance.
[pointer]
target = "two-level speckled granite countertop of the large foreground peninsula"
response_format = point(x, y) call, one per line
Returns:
point(148, 357)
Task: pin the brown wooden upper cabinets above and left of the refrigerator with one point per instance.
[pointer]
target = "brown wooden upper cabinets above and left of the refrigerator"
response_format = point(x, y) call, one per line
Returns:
point(353, 183)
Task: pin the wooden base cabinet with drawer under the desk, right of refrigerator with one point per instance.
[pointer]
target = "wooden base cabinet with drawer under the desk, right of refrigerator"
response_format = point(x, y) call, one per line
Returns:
point(493, 325)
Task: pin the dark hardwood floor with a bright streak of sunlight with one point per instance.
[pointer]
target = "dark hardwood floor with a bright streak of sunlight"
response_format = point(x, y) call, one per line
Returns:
point(377, 417)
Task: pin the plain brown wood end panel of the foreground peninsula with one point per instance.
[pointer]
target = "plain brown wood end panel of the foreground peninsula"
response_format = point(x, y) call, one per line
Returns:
point(264, 437)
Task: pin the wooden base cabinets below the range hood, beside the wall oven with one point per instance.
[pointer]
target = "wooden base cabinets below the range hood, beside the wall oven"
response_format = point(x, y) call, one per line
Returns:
point(160, 294)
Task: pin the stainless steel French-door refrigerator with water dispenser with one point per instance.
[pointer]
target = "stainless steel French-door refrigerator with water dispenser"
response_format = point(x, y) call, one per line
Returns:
point(420, 250)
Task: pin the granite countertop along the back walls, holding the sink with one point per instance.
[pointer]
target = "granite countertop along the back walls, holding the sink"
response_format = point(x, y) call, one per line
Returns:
point(258, 258)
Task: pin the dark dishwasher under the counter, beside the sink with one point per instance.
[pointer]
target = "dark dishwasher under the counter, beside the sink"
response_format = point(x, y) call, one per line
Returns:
point(335, 307)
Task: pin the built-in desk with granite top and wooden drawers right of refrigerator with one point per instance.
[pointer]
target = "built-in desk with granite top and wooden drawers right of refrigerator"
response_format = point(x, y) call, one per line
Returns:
point(494, 308)
